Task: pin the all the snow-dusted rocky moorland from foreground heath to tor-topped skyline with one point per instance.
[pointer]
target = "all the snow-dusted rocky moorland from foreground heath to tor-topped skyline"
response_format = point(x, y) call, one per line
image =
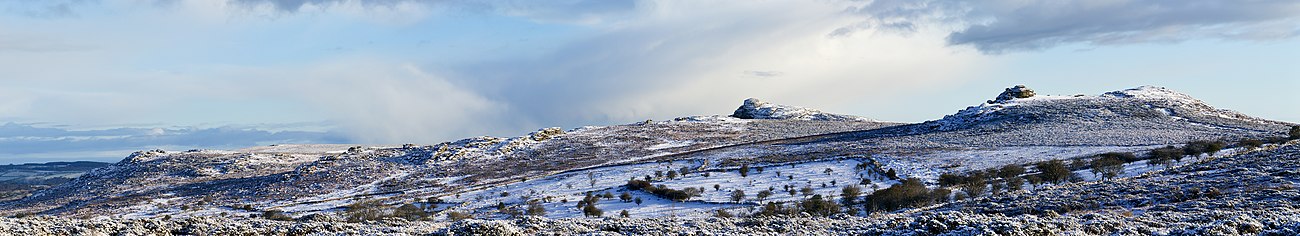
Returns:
point(293, 190)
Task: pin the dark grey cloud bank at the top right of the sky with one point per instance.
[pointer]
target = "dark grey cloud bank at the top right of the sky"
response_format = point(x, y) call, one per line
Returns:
point(996, 27)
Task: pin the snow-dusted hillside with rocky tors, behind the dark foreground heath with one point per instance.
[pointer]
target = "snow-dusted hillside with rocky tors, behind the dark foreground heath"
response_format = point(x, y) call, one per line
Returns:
point(761, 147)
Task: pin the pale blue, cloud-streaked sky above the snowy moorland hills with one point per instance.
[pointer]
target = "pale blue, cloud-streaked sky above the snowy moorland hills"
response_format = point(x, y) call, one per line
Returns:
point(97, 80)
